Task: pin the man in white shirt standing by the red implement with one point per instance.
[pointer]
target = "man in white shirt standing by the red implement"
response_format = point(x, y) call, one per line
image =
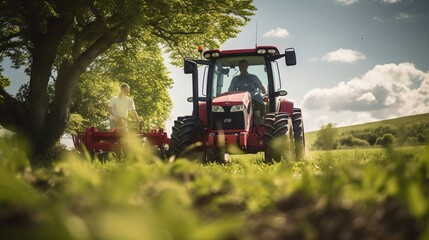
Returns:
point(119, 107)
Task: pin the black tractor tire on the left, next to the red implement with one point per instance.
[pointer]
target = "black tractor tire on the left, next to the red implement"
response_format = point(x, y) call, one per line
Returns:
point(188, 133)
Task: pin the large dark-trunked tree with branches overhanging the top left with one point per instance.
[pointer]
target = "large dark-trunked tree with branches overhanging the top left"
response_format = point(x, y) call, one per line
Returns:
point(58, 40)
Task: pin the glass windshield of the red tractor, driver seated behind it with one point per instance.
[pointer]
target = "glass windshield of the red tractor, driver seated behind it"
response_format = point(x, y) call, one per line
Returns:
point(228, 76)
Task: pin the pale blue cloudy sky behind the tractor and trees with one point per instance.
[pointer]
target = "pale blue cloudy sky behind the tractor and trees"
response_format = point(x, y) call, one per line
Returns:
point(357, 60)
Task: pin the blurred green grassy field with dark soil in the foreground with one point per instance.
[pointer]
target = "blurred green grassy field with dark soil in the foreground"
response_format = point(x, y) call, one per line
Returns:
point(344, 194)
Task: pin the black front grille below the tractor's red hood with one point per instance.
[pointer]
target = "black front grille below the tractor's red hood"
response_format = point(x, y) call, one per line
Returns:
point(229, 120)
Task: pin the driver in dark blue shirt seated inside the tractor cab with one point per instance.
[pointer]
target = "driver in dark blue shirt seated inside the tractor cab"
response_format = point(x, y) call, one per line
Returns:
point(246, 81)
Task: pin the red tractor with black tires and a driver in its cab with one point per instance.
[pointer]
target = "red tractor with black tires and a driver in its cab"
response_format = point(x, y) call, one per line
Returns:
point(253, 115)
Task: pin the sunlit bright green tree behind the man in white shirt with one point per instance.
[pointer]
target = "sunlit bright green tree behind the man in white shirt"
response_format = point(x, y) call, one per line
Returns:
point(139, 66)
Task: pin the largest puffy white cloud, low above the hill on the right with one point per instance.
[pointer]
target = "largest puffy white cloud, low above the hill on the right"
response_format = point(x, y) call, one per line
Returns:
point(386, 91)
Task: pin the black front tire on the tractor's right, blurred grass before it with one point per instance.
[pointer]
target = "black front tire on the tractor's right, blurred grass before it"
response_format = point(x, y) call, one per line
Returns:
point(278, 137)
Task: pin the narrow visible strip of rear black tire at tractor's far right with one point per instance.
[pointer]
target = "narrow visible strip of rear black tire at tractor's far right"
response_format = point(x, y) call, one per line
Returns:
point(298, 134)
